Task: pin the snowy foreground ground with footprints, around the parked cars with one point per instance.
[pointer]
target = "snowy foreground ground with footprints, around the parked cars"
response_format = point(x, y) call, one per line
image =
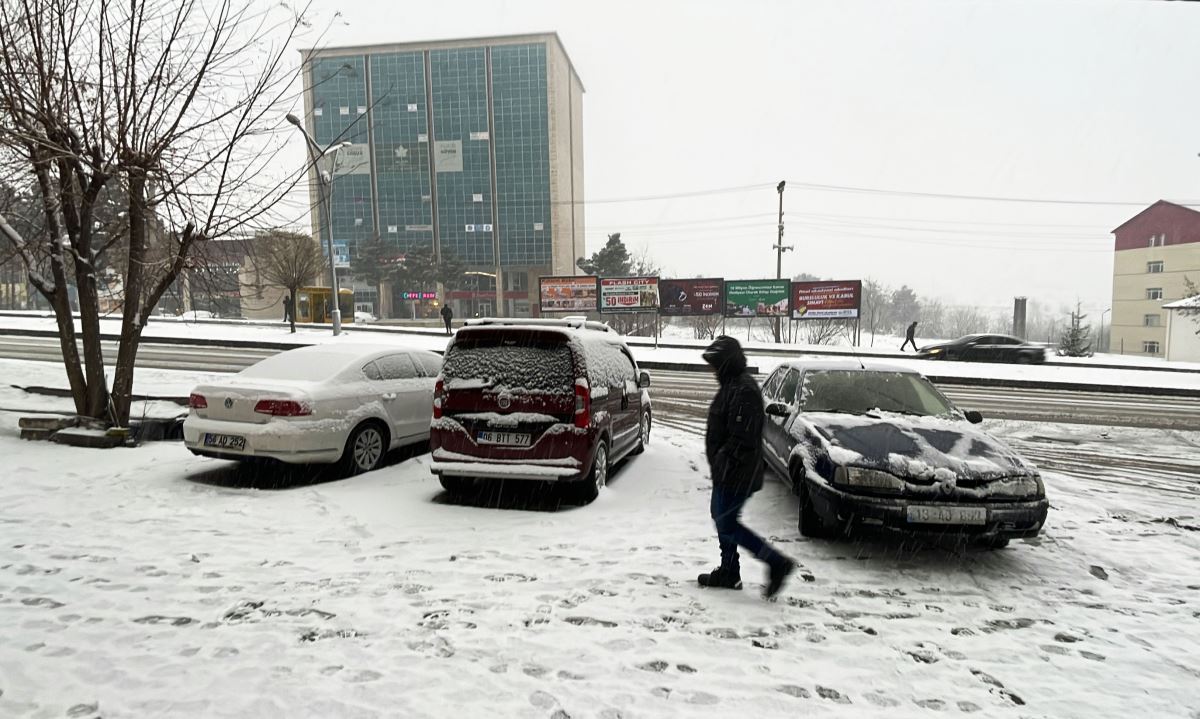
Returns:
point(148, 583)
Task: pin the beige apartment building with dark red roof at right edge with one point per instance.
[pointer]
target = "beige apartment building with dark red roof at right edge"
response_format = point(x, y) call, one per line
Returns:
point(1155, 253)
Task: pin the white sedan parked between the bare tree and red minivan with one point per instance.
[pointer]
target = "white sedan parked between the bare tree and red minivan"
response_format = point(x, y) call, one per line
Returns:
point(326, 404)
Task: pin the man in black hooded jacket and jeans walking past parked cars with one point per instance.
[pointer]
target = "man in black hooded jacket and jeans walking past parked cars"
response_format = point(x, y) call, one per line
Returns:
point(734, 445)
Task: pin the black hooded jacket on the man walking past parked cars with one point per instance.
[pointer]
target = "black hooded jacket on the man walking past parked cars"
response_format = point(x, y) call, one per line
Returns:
point(734, 439)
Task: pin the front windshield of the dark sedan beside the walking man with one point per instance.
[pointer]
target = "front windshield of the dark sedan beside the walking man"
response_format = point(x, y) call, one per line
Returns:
point(860, 393)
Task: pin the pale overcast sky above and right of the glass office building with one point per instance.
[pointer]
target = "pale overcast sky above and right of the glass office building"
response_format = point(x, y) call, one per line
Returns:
point(1089, 101)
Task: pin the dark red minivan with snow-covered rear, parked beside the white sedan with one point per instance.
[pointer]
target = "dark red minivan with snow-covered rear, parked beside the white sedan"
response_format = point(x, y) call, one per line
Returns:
point(547, 400)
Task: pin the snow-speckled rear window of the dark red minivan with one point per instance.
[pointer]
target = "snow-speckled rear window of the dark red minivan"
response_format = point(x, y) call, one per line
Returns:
point(509, 363)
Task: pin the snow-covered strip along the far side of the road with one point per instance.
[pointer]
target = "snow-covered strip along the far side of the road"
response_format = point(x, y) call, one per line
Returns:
point(1082, 375)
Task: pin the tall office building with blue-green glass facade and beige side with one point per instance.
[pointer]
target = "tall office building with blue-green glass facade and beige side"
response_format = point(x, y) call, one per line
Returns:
point(470, 147)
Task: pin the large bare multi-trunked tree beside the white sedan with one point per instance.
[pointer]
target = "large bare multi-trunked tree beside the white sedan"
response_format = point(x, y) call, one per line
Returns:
point(171, 101)
